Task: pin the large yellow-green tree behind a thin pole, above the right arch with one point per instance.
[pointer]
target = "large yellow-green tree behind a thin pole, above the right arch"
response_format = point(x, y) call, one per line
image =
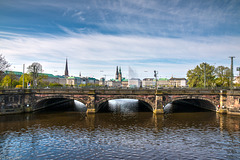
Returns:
point(196, 76)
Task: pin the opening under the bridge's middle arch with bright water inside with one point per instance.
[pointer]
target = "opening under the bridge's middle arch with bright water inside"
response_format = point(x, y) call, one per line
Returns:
point(124, 106)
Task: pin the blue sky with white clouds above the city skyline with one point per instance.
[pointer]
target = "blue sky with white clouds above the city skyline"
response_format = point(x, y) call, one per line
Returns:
point(169, 36)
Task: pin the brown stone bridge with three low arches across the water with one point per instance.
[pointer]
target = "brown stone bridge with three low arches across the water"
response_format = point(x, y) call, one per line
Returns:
point(28, 100)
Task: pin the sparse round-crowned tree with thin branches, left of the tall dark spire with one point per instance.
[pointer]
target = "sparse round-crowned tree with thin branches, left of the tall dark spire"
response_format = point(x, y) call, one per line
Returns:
point(35, 69)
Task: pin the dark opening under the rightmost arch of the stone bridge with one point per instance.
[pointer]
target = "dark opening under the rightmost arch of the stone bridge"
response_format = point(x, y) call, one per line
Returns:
point(189, 105)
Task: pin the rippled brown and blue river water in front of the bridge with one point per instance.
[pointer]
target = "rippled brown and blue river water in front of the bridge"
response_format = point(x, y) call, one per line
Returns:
point(74, 135)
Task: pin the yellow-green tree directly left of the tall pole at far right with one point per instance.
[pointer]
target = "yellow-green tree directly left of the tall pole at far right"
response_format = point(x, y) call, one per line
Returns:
point(223, 75)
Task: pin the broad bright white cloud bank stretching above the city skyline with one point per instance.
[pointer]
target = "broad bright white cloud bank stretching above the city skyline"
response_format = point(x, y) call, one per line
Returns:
point(91, 53)
